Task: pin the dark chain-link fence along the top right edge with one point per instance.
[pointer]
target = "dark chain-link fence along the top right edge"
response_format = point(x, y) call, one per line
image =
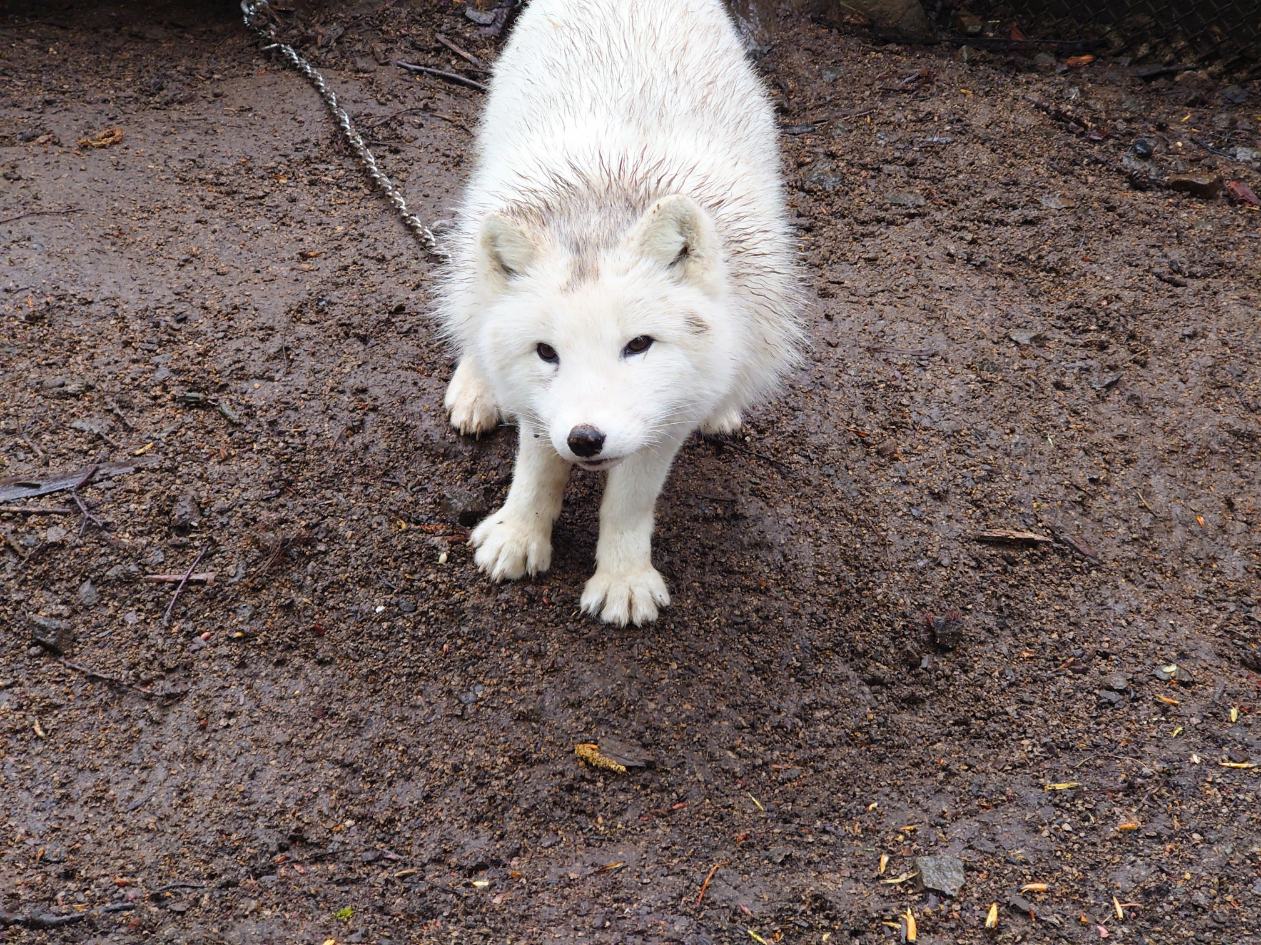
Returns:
point(1156, 31)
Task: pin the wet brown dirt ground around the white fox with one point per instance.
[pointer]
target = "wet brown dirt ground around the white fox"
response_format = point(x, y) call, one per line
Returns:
point(352, 736)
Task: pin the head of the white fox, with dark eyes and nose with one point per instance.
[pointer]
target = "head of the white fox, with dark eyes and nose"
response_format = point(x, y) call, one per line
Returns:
point(607, 351)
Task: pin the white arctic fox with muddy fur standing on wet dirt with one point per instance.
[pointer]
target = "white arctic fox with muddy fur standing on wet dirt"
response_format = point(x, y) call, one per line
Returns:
point(621, 273)
